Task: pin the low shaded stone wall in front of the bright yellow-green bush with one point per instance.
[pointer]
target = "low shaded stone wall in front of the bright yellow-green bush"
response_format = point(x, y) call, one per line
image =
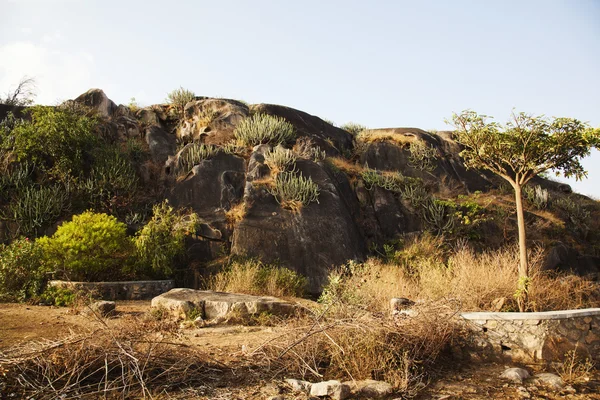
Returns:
point(126, 290)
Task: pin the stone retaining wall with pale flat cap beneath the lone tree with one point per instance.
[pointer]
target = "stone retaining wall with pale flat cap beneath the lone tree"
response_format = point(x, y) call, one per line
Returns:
point(533, 337)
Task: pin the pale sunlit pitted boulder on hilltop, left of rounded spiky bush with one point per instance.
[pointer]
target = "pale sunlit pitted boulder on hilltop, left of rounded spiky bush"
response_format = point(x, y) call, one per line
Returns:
point(211, 121)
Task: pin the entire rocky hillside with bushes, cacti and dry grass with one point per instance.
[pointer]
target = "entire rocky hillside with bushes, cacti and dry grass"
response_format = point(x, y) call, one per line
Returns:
point(201, 189)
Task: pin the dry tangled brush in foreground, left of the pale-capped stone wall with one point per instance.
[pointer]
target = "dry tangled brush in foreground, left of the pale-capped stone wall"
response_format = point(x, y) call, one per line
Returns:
point(349, 344)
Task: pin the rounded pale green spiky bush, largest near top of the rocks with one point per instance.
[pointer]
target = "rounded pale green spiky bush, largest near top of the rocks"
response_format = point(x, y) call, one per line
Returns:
point(264, 128)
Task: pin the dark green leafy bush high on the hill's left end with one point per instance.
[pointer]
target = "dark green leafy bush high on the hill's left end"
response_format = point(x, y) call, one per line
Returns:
point(56, 140)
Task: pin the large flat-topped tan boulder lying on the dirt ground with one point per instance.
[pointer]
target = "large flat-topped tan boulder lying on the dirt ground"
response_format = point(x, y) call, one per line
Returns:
point(213, 305)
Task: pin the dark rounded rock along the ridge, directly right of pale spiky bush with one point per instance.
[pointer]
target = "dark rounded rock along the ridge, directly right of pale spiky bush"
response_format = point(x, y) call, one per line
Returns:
point(333, 140)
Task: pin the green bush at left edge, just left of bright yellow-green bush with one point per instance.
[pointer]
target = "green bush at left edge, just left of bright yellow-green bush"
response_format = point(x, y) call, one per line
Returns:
point(21, 270)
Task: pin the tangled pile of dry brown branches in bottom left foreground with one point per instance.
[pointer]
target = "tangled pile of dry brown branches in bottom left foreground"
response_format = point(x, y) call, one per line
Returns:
point(130, 361)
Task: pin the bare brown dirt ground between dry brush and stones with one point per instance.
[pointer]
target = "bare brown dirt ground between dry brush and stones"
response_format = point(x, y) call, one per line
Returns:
point(228, 345)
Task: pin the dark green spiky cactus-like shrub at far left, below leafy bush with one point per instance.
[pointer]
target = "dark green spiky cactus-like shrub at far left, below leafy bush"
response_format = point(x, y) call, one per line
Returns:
point(34, 207)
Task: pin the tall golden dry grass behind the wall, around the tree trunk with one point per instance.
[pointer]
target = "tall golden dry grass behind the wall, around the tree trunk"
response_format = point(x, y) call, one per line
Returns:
point(422, 270)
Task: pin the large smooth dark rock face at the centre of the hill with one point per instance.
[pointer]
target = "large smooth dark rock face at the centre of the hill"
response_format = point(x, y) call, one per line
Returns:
point(320, 236)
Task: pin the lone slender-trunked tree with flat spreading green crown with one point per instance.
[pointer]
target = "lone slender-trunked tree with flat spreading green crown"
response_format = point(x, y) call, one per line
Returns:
point(521, 149)
